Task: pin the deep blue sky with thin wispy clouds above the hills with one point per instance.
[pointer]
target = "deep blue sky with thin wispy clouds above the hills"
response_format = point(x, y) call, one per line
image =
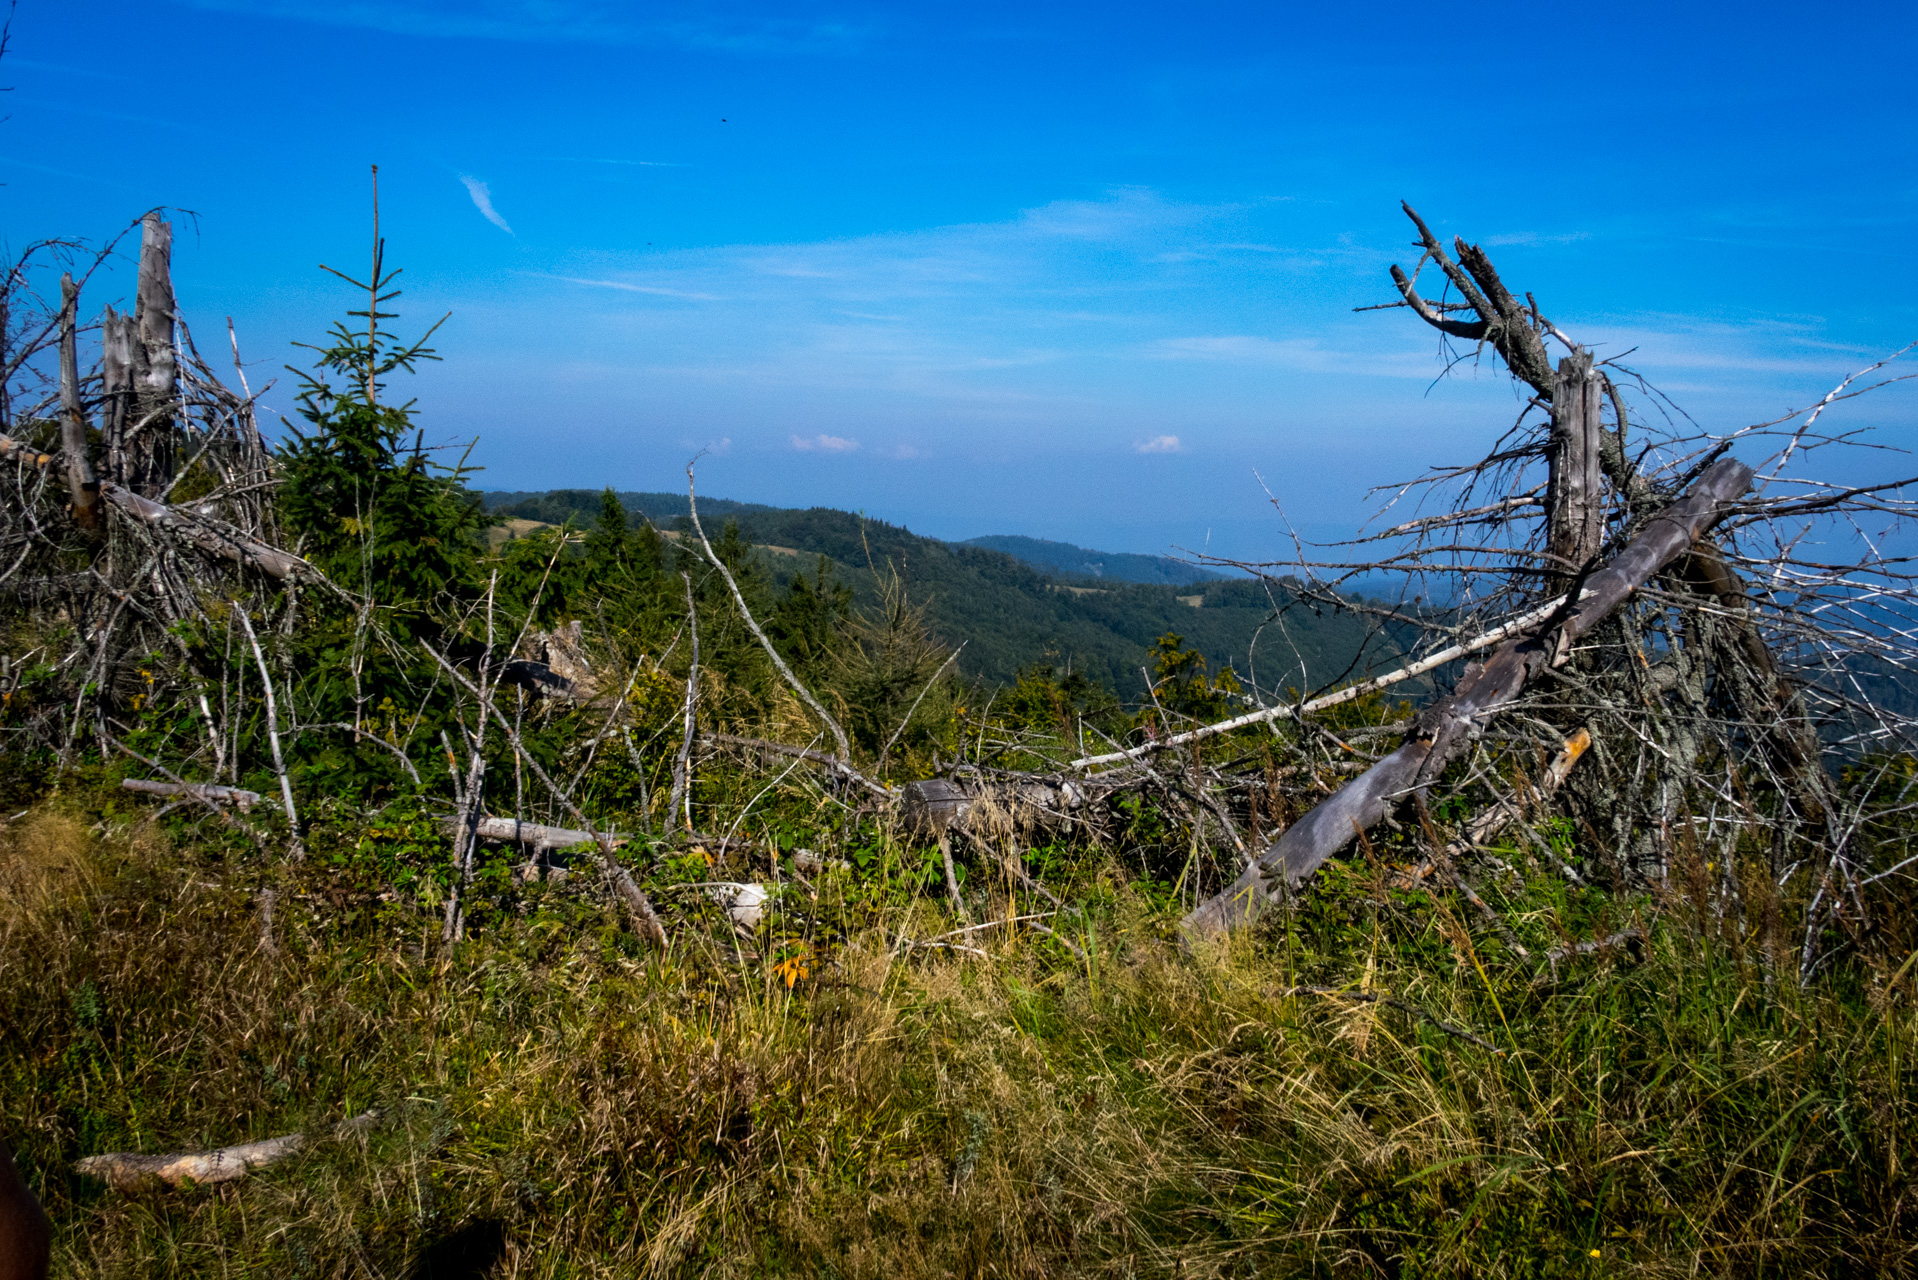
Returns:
point(1071, 272)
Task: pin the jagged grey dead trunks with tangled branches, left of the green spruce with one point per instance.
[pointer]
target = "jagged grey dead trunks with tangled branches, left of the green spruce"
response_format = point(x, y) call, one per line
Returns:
point(149, 563)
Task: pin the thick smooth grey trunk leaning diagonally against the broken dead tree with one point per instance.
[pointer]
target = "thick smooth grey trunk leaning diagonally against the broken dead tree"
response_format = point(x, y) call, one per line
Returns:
point(1447, 728)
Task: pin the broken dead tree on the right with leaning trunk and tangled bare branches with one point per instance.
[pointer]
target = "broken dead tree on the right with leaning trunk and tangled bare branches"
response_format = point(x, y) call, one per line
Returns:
point(1706, 696)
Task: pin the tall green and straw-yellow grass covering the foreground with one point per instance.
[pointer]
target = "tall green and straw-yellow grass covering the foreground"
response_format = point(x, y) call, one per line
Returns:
point(559, 1102)
